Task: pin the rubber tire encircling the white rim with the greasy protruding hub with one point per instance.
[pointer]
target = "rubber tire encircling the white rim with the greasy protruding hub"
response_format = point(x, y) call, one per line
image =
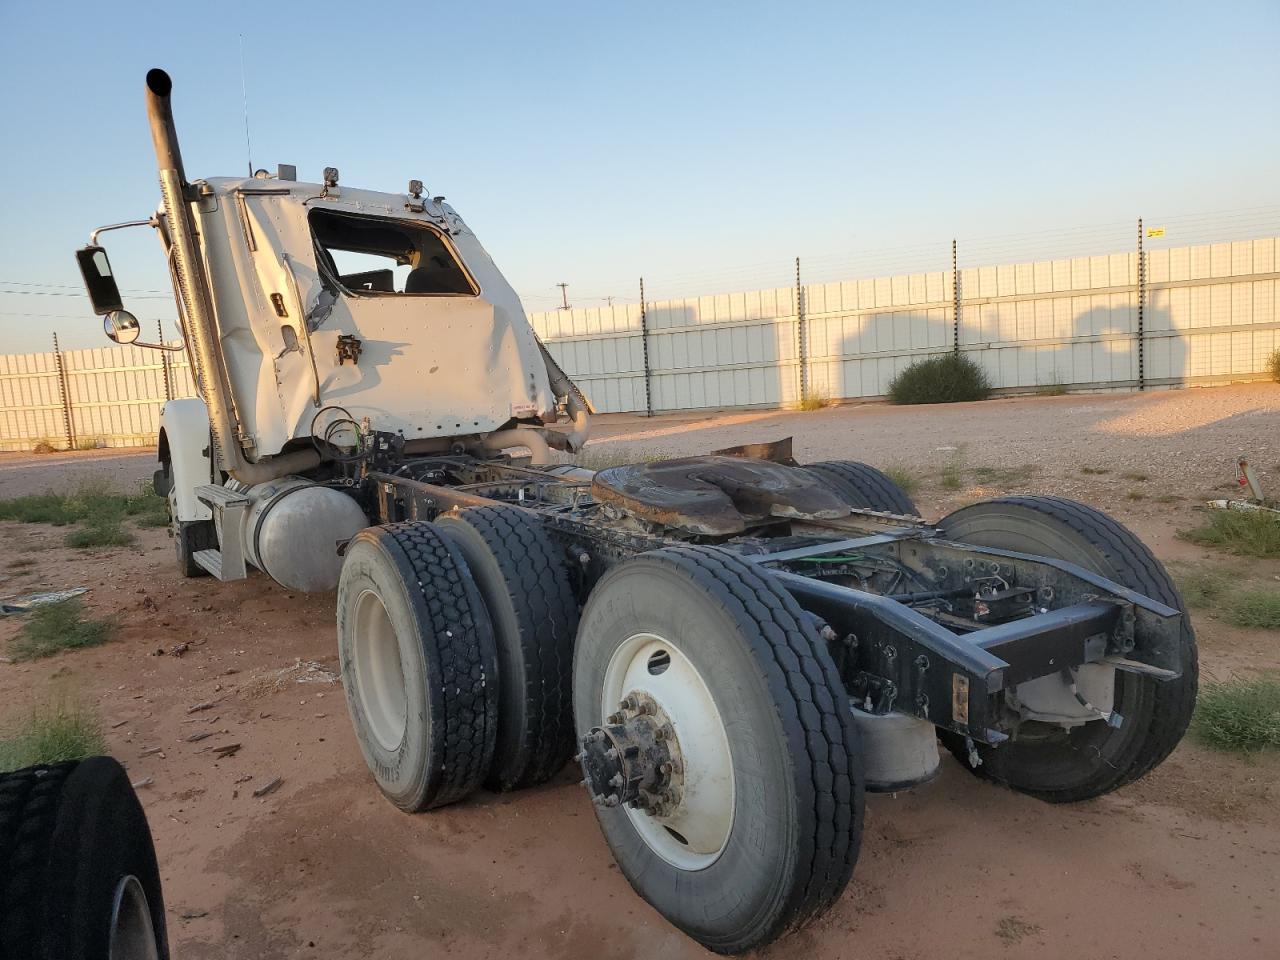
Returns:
point(796, 833)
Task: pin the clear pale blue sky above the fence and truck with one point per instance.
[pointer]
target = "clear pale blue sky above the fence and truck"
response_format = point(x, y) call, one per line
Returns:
point(703, 145)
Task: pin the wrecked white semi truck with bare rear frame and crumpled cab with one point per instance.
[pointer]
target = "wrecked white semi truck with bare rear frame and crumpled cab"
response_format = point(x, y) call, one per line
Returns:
point(733, 648)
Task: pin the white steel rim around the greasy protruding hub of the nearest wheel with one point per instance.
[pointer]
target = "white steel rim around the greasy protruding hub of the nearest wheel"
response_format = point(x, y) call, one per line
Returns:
point(697, 831)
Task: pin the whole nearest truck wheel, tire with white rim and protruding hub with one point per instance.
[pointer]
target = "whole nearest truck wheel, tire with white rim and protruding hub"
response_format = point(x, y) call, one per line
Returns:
point(720, 746)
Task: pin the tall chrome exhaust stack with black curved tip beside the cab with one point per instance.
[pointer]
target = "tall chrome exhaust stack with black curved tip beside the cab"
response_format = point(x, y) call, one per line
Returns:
point(195, 298)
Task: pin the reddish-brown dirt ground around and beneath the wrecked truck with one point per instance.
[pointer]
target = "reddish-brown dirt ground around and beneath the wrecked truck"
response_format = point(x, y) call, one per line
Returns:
point(1182, 865)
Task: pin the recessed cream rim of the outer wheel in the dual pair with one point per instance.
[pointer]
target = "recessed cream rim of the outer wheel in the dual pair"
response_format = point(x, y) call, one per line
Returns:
point(380, 673)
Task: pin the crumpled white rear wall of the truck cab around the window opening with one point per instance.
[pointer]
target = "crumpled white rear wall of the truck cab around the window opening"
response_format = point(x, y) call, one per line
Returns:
point(356, 300)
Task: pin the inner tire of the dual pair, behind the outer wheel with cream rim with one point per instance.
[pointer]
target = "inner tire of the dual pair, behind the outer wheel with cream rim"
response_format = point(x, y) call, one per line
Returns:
point(534, 615)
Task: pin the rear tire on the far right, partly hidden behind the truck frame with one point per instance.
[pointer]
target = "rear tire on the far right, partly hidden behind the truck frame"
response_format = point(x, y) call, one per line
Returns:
point(1094, 760)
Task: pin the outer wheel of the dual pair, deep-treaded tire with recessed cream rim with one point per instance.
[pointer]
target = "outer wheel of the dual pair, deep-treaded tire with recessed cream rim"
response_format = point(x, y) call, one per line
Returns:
point(419, 665)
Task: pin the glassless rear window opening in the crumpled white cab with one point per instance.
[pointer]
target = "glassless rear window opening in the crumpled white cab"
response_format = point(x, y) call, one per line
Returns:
point(367, 255)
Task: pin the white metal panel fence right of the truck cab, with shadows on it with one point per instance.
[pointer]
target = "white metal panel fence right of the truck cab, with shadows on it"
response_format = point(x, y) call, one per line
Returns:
point(1210, 317)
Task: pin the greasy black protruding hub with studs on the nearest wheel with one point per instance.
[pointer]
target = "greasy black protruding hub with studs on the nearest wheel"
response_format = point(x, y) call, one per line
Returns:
point(634, 760)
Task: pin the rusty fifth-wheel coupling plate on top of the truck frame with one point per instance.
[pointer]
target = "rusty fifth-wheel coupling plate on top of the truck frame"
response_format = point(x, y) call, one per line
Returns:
point(716, 496)
